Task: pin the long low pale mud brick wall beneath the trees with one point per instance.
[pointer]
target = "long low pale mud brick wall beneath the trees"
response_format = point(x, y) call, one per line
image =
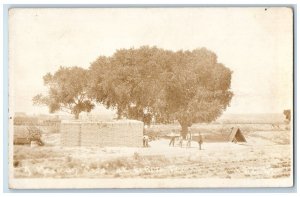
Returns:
point(116, 133)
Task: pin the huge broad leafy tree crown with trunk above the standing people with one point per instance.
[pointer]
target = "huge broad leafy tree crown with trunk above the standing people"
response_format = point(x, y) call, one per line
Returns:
point(187, 86)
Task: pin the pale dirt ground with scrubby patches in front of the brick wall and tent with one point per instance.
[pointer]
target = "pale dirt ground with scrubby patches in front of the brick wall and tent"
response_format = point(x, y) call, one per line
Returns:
point(267, 154)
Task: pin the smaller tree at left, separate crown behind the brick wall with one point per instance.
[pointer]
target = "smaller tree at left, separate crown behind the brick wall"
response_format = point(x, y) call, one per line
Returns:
point(67, 91)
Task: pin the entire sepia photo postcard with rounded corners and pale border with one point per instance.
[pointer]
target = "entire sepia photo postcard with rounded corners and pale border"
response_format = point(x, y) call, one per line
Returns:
point(177, 97)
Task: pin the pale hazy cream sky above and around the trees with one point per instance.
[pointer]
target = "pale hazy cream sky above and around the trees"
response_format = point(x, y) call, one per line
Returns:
point(256, 44)
